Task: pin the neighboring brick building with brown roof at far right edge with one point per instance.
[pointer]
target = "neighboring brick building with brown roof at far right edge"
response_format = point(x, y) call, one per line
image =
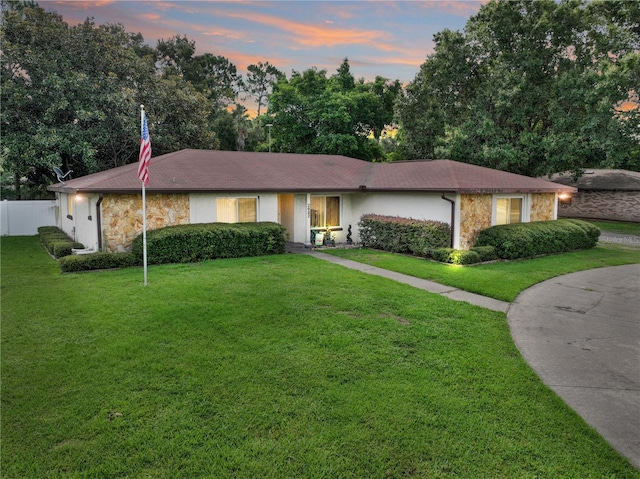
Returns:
point(602, 194)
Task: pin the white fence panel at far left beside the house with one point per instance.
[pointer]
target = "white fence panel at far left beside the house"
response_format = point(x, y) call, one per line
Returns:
point(23, 218)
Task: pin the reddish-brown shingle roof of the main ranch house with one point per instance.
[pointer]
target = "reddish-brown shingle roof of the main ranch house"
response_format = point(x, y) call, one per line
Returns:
point(236, 171)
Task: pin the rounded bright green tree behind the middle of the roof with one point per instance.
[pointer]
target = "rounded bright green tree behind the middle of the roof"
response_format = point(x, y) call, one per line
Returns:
point(315, 114)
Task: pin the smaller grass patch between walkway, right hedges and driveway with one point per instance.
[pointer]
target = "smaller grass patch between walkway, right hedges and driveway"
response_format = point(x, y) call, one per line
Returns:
point(500, 280)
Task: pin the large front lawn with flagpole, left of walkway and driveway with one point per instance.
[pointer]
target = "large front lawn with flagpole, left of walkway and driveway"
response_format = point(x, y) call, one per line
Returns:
point(269, 367)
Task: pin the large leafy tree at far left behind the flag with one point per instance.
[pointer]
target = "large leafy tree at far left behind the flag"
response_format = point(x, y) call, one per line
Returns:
point(71, 95)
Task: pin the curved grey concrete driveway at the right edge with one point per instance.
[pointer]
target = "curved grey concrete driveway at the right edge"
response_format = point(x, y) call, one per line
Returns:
point(581, 334)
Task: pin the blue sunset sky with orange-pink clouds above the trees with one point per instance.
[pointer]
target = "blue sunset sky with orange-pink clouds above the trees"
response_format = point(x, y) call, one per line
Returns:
point(390, 39)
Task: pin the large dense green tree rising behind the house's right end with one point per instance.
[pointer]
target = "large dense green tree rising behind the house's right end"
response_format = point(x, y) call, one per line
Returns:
point(528, 87)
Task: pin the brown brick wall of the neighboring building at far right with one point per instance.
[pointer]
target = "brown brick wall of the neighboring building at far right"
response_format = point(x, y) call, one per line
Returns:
point(610, 205)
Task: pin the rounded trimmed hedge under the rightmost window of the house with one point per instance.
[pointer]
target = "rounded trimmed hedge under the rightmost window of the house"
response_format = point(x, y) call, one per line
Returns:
point(525, 240)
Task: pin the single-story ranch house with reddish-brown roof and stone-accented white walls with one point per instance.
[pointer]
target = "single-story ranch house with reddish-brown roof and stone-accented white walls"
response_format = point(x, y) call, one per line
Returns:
point(302, 192)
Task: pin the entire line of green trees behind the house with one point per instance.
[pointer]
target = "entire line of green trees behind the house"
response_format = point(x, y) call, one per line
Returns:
point(532, 87)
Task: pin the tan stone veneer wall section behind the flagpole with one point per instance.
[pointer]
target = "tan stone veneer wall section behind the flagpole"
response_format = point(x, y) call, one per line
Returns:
point(122, 217)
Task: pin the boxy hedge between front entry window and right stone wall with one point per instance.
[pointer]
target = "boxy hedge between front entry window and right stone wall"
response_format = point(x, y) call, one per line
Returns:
point(403, 235)
